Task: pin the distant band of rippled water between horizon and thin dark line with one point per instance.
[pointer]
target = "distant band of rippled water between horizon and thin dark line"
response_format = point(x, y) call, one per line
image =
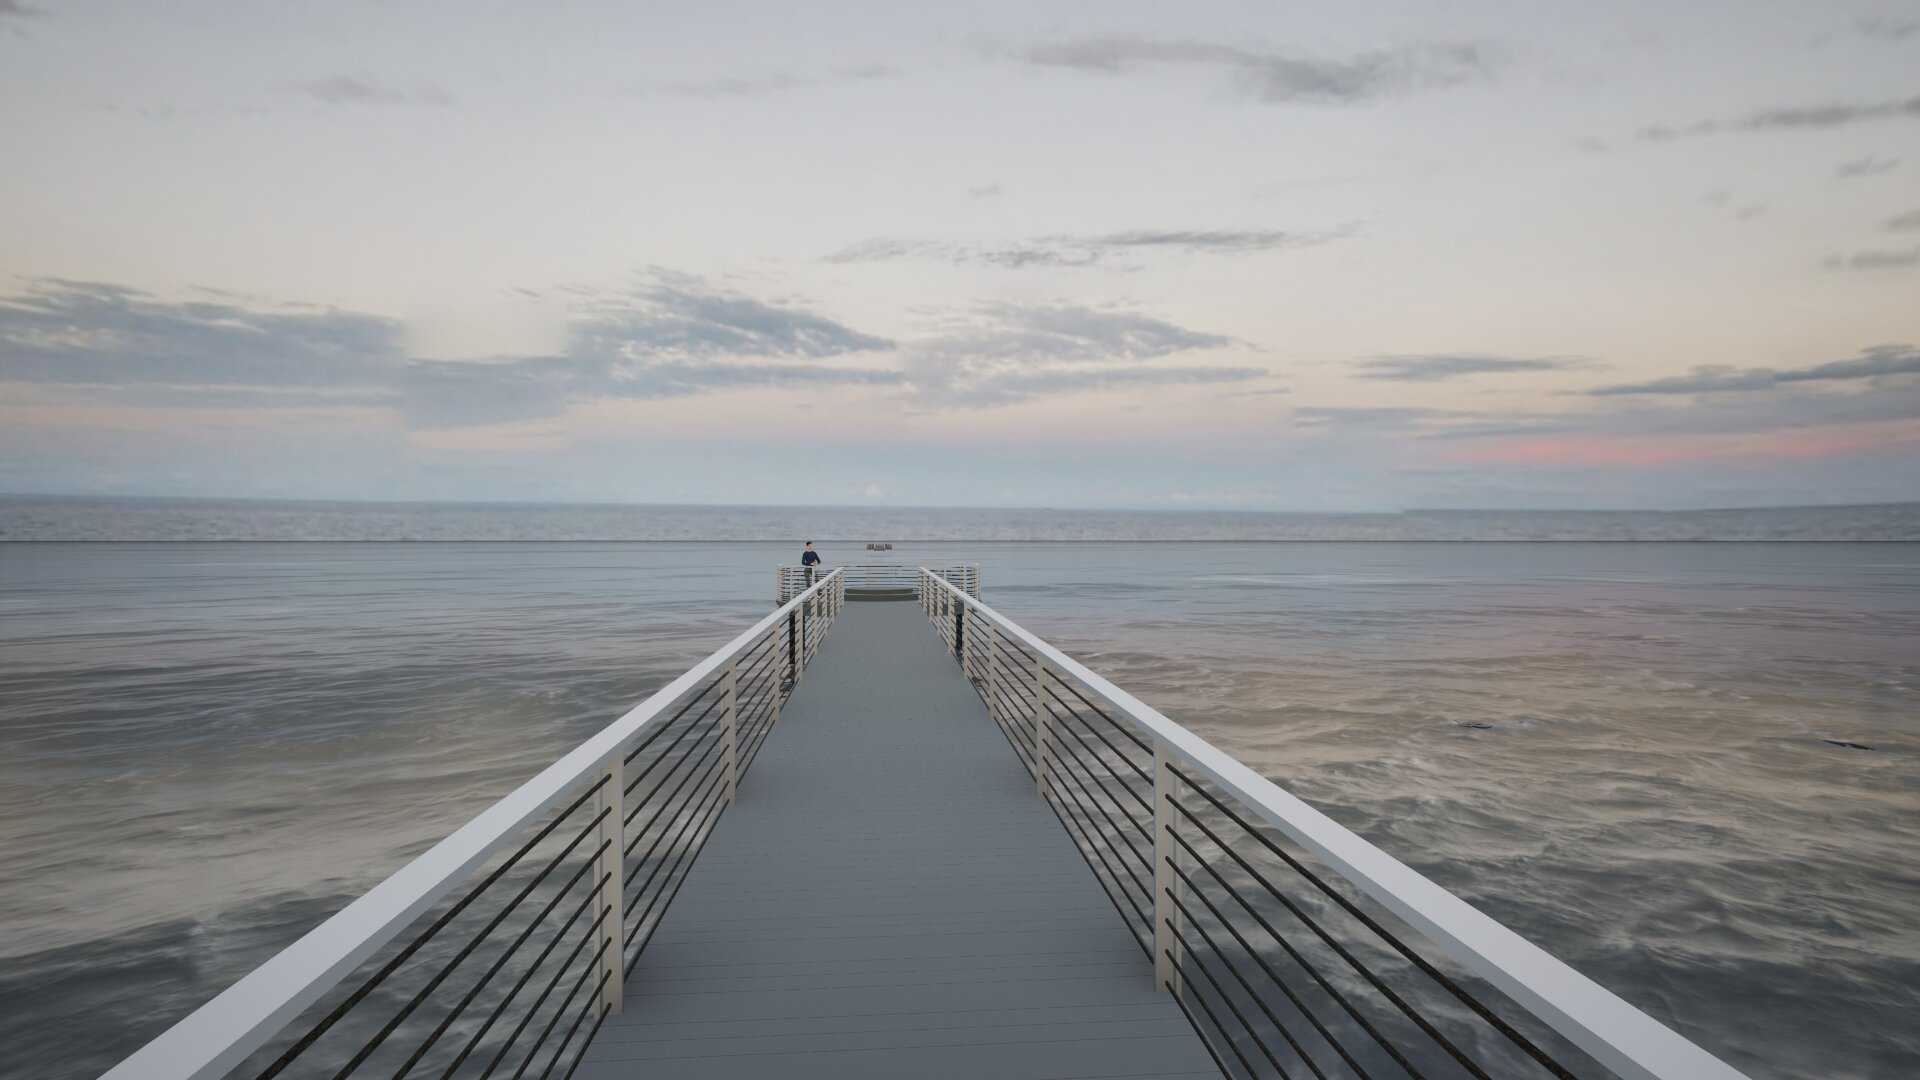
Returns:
point(28, 518)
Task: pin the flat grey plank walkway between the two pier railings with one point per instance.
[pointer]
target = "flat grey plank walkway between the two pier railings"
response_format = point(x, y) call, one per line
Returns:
point(890, 898)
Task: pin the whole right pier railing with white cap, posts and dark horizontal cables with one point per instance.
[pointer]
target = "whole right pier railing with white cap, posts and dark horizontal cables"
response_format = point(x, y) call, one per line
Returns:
point(1293, 946)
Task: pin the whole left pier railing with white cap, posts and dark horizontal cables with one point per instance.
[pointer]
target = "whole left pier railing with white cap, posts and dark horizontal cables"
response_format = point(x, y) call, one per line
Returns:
point(504, 948)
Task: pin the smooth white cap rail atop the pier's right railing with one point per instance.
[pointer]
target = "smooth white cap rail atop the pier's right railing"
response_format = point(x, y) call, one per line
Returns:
point(1593, 1018)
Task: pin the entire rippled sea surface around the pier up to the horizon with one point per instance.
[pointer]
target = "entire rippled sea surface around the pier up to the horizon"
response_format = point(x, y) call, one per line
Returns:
point(208, 749)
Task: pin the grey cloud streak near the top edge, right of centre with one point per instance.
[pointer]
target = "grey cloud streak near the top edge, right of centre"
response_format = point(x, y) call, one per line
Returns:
point(1270, 78)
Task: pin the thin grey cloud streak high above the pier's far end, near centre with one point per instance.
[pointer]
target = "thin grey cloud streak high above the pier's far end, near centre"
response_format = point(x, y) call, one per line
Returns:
point(1093, 249)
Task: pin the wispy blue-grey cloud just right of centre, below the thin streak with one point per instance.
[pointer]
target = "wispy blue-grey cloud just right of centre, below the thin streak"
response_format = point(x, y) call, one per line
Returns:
point(1011, 353)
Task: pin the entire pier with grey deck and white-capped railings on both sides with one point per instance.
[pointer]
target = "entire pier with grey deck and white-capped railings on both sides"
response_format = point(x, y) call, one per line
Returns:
point(909, 839)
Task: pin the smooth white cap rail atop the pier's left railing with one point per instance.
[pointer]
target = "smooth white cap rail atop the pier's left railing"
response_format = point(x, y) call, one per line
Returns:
point(241, 1019)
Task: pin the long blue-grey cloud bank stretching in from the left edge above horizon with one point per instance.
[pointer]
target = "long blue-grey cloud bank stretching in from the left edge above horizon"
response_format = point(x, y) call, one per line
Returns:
point(673, 337)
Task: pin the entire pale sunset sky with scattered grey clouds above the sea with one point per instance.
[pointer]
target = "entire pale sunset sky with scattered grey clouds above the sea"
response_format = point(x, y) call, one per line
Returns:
point(1188, 257)
